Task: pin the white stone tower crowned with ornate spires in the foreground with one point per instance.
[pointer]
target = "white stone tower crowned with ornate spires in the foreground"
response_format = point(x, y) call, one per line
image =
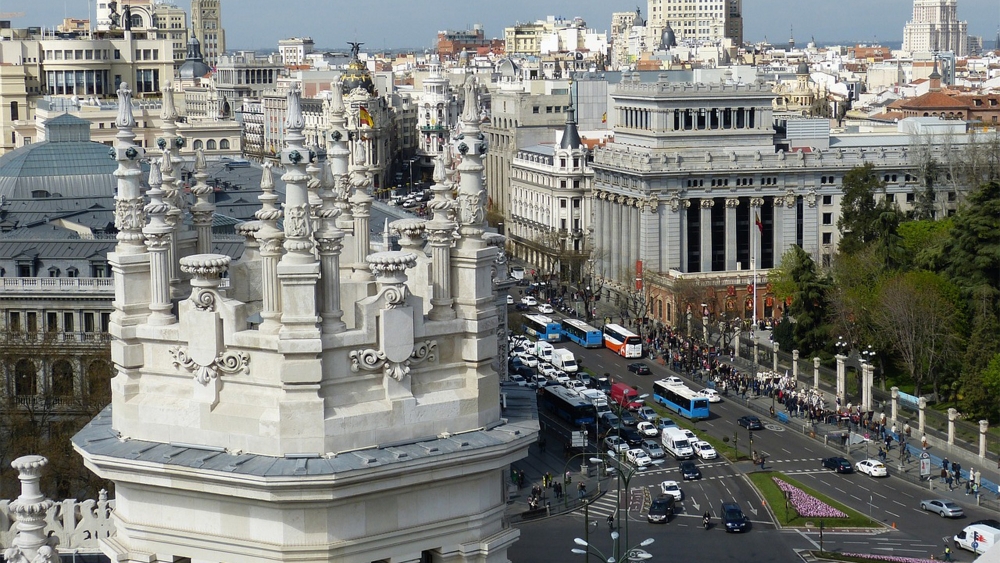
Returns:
point(373, 434)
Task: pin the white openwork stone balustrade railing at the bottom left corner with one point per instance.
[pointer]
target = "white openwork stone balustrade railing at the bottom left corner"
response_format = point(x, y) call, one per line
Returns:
point(78, 524)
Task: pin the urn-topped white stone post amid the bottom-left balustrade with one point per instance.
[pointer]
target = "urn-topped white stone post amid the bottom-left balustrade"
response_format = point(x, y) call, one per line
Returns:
point(30, 544)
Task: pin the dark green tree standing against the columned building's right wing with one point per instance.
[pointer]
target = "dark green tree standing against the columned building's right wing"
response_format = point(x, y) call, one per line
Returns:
point(859, 208)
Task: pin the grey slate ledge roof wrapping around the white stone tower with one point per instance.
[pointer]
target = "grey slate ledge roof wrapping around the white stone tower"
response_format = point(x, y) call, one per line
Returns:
point(99, 439)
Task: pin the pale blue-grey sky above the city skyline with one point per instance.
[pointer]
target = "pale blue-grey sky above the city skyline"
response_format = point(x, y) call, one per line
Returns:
point(386, 24)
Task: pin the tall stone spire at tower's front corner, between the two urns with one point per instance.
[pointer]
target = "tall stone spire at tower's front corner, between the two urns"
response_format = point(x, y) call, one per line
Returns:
point(298, 270)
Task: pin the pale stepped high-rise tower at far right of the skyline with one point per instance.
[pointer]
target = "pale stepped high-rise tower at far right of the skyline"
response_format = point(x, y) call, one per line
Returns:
point(935, 27)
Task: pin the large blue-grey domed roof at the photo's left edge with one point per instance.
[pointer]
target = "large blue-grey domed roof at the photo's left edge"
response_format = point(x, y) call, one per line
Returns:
point(66, 164)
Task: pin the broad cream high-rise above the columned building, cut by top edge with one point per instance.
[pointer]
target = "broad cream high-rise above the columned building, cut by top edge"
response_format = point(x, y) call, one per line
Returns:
point(697, 21)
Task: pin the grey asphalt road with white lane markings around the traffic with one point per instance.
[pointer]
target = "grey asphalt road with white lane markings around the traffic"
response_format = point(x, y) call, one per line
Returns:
point(907, 531)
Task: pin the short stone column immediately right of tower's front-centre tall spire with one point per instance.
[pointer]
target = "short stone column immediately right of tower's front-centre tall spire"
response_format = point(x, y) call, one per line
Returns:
point(329, 244)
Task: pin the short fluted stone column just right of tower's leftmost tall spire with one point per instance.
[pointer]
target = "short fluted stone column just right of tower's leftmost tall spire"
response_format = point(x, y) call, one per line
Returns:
point(158, 236)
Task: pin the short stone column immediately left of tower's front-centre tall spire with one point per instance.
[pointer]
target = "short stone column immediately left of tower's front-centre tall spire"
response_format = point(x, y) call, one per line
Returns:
point(270, 238)
